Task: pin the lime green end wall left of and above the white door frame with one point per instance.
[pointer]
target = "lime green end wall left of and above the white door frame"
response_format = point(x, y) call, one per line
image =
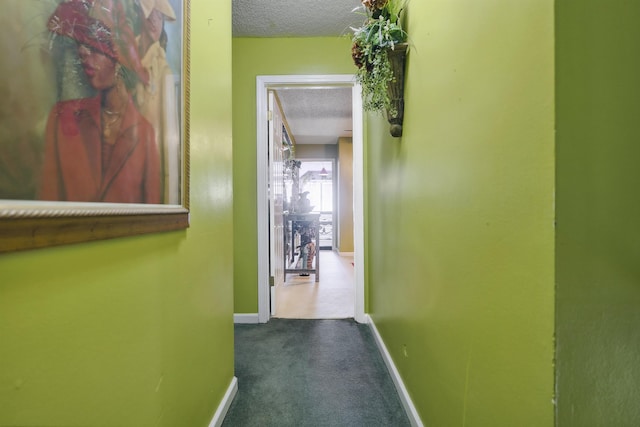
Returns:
point(253, 57)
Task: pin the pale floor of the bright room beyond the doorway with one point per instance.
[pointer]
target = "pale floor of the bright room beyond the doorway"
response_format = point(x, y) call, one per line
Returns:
point(333, 297)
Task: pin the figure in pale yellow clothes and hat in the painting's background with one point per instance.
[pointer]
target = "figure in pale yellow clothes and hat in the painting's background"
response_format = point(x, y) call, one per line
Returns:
point(156, 99)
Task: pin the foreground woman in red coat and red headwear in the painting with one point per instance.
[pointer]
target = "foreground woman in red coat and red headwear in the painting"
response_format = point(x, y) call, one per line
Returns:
point(100, 149)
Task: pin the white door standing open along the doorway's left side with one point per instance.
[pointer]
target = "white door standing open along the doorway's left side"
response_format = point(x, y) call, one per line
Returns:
point(276, 197)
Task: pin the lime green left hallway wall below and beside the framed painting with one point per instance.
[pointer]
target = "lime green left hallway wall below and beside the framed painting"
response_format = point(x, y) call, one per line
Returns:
point(134, 331)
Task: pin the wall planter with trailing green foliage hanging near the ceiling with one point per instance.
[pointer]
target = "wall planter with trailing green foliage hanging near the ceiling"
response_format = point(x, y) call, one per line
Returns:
point(379, 51)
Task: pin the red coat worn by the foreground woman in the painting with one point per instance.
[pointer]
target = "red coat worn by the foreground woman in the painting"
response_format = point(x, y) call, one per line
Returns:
point(78, 166)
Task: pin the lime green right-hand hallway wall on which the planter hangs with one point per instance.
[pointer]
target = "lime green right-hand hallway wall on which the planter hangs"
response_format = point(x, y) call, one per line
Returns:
point(460, 215)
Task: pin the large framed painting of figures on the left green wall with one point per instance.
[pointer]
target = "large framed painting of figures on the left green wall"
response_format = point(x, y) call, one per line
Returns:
point(94, 120)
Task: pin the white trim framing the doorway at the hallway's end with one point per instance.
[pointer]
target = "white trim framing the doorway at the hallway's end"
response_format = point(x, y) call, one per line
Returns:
point(263, 84)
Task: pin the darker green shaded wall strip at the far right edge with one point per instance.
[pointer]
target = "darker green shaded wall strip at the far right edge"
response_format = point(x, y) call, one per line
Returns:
point(598, 273)
